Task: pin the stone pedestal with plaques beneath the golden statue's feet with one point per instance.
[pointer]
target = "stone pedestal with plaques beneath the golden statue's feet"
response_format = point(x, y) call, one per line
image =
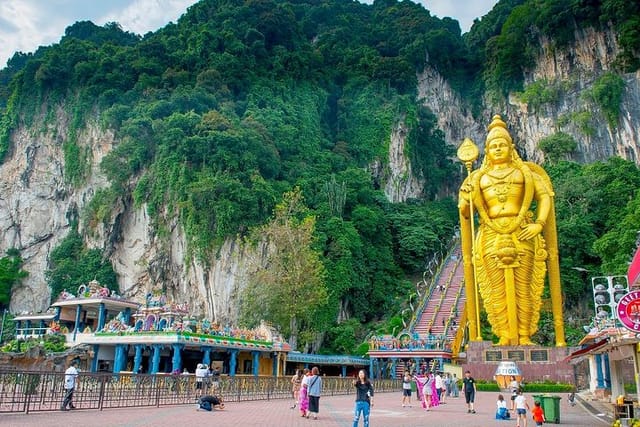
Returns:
point(537, 363)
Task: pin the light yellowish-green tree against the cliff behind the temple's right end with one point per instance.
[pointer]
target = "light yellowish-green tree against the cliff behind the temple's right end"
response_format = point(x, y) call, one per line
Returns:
point(287, 286)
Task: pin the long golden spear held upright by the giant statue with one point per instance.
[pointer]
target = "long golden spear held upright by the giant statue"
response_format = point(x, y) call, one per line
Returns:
point(468, 153)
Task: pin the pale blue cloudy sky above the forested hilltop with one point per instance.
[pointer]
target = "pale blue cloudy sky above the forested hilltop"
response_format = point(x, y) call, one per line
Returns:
point(27, 24)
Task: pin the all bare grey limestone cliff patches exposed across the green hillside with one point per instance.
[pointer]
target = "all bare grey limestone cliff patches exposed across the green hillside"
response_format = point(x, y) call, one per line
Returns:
point(36, 205)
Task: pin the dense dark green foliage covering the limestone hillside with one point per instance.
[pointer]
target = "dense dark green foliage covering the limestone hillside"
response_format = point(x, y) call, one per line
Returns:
point(220, 114)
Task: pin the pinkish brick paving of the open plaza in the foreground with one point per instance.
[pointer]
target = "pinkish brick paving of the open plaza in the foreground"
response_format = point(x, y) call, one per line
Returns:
point(334, 411)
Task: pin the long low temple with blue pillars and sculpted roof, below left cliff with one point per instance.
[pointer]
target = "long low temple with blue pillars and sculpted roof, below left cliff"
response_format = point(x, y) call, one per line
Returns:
point(159, 336)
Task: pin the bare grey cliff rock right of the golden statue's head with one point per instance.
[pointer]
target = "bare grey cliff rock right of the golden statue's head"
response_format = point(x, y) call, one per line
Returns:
point(576, 68)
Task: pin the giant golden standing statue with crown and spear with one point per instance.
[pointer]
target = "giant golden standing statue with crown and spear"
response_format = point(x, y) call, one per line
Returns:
point(515, 244)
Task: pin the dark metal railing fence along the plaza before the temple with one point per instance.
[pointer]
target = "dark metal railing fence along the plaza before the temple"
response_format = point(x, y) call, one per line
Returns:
point(39, 391)
